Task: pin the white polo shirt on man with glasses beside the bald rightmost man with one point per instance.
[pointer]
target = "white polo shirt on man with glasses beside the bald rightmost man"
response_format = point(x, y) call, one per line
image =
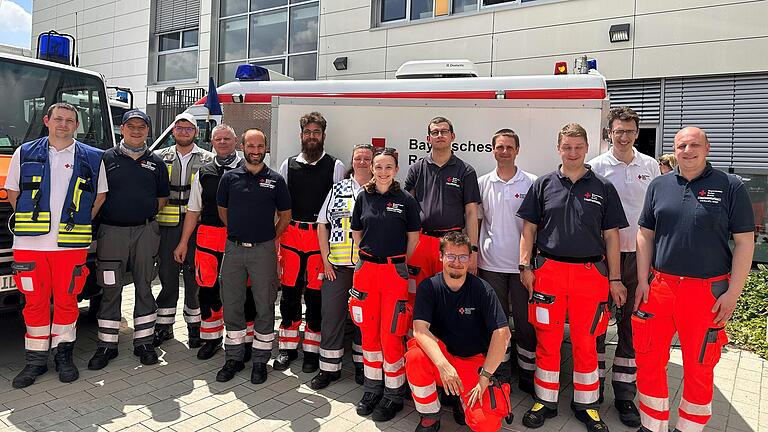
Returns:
point(631, 181)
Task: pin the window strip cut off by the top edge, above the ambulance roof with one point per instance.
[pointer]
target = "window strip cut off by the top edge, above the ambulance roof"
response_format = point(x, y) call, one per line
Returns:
point(413, 10)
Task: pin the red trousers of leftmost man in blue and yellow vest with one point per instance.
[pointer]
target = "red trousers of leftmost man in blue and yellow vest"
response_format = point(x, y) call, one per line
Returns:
point(40, 275)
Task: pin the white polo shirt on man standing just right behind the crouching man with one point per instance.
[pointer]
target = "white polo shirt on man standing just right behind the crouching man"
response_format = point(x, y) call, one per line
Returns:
point(499, 248)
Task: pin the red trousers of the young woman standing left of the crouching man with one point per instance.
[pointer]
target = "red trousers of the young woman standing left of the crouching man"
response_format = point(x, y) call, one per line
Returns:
point(378, 307)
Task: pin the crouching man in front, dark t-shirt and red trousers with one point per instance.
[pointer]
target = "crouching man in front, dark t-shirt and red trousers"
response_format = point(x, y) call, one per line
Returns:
point(460, 337)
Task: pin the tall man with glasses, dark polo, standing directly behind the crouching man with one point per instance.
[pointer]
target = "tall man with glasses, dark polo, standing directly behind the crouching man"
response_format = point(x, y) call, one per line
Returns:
point(446, 188)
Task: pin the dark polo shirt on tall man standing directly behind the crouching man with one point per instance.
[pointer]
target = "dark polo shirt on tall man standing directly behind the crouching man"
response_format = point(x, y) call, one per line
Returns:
point(442, 191)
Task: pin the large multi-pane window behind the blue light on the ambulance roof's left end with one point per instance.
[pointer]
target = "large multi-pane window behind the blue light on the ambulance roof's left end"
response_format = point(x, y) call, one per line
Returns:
point(281, 35)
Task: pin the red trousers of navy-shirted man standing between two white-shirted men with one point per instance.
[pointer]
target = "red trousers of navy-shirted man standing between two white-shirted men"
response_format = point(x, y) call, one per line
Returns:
point(581, 292)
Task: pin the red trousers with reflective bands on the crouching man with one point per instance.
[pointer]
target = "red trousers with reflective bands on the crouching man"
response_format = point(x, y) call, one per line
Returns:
point(424, 378)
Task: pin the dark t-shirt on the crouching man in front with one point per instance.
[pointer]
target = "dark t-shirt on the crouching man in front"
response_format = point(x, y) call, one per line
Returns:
point(463, 320)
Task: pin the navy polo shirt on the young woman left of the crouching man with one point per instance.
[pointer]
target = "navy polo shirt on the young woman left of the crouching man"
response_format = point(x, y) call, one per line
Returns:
point(385, 219)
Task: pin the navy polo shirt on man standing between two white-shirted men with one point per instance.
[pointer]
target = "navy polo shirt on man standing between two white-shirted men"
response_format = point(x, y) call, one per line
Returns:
point(571, 217)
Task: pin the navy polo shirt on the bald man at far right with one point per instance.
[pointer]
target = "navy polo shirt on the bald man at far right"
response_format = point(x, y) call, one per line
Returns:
point(693, 221)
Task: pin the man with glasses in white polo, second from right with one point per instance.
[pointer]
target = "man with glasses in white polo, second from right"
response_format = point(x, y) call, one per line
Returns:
point(630, 172)
